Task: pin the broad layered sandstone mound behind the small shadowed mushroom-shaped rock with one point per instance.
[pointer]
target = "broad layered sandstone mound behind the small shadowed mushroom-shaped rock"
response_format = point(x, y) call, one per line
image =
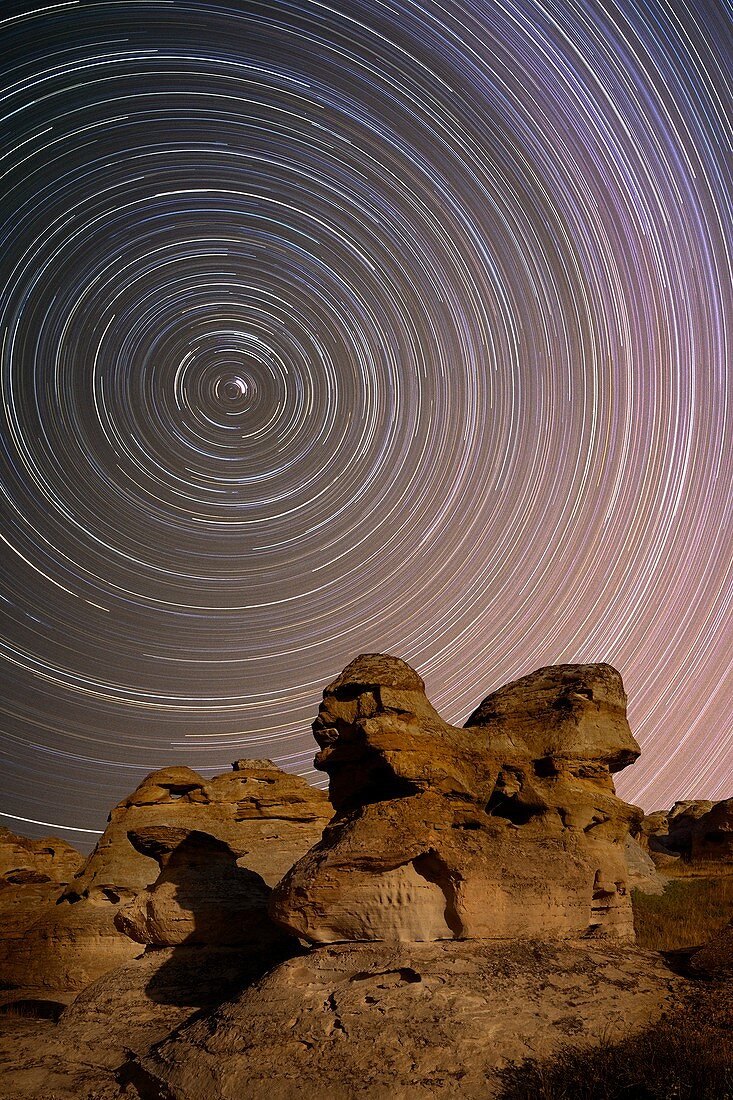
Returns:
point(265, 817)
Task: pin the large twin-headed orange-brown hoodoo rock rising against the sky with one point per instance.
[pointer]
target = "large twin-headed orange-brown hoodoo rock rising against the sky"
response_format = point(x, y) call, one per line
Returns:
point(508, 828)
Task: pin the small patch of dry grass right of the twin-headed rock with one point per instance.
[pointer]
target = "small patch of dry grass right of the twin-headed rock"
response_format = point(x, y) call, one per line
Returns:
point(687, 915)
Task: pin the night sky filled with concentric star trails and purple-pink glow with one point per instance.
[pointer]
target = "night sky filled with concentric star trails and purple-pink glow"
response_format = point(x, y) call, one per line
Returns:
point(330, 328)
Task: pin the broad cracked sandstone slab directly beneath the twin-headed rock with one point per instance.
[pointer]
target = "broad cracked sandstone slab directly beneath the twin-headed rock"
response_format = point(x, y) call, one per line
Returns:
point(409, 1020)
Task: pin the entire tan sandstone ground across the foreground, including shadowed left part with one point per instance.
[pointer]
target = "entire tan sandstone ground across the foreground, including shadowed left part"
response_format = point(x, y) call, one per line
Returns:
point(374, 1020)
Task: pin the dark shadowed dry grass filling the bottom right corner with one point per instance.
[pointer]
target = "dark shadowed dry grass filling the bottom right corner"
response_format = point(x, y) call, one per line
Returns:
point(686, 1057)
